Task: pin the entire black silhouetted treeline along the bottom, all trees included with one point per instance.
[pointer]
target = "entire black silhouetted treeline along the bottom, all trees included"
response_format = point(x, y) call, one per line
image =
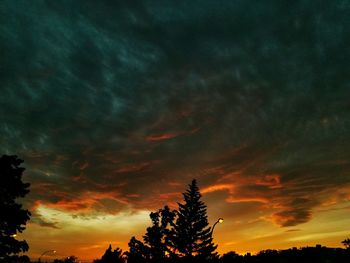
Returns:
point(180, 235)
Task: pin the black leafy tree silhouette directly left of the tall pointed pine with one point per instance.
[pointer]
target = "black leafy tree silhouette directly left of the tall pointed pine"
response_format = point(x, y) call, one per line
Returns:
point(158, 237)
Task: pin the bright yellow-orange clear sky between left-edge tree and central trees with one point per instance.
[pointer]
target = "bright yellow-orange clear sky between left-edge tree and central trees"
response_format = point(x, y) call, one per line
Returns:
point(86, 236)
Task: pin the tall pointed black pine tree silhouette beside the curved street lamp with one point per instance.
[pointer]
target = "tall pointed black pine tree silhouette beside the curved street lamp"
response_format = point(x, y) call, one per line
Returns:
point(192, 233)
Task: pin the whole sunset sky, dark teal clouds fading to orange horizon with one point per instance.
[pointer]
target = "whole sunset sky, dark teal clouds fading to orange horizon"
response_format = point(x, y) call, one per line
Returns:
point(115, 106)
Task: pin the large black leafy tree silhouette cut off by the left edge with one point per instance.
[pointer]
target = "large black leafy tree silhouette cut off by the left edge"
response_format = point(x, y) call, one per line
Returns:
point(13, 217)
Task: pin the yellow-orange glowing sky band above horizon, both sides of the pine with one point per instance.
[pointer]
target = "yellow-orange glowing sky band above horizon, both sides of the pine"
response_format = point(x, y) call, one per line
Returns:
point(88, 237)
